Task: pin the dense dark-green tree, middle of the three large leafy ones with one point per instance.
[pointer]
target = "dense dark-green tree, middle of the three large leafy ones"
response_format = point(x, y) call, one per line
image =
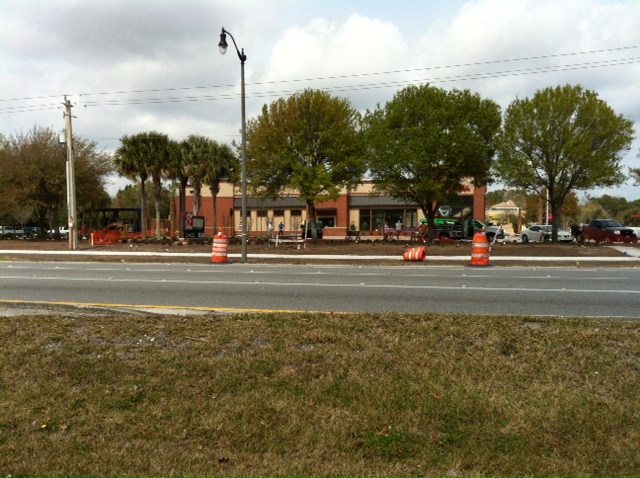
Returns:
point(427, 143)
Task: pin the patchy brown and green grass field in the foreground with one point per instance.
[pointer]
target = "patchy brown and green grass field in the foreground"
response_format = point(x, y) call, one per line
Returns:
point(311, 395)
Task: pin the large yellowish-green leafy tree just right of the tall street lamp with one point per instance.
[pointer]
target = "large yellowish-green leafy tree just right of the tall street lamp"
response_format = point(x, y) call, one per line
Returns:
point(310, 142)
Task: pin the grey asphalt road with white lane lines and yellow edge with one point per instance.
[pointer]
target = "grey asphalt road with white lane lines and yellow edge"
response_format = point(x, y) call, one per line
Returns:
point(555, 291)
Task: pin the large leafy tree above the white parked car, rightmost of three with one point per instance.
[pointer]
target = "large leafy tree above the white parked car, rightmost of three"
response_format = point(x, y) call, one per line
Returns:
point(562, 140)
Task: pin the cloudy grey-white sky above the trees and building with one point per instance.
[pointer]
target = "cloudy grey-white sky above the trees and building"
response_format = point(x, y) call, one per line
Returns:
point(129, 66)
